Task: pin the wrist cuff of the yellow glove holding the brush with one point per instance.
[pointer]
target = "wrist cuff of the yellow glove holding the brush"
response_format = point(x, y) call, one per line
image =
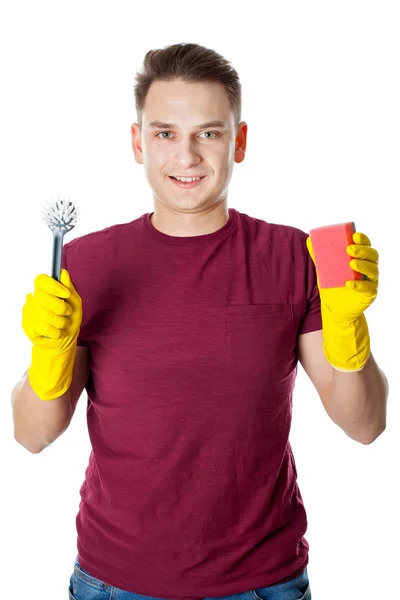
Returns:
point(50, 373)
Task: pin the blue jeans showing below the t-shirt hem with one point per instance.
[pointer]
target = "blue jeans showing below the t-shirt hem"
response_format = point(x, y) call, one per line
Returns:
point(85, 587)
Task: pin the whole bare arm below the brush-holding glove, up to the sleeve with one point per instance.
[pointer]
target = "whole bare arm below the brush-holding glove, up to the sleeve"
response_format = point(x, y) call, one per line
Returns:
point(39, 423)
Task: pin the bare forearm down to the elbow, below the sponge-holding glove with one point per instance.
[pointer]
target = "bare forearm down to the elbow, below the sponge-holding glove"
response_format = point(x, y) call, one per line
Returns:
point(359, 401)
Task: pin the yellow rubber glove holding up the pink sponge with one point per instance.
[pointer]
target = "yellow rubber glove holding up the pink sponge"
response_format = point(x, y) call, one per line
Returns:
point(344, 327)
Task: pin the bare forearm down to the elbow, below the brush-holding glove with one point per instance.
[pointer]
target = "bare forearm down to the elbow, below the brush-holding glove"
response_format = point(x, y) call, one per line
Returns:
point(36, 423)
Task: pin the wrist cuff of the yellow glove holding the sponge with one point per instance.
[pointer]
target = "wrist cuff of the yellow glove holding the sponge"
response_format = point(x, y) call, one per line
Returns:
point(346, 343)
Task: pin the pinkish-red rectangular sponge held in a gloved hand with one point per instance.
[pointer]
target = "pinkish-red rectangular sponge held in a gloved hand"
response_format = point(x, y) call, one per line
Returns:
point(331, 259)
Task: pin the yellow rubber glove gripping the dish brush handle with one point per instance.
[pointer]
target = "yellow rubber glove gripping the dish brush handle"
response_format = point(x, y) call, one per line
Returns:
point(51, 318)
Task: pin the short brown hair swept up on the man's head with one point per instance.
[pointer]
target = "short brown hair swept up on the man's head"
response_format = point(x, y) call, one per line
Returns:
point(191, 63)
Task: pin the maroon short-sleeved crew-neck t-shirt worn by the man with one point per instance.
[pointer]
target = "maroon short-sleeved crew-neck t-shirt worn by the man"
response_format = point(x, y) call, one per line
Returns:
point(191, 490)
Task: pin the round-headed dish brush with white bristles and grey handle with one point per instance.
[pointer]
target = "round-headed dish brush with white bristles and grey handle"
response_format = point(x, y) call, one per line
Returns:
point(61, 216)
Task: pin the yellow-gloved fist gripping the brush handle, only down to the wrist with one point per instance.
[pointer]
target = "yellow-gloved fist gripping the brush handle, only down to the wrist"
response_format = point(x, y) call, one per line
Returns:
point(52, 315)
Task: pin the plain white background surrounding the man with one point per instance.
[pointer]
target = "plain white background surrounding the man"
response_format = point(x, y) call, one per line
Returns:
point(321, 98)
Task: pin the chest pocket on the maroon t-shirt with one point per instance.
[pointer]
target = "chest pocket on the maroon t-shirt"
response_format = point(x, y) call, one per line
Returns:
point(259, 337)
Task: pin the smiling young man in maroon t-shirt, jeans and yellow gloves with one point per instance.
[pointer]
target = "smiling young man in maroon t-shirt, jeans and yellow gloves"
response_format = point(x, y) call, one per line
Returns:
point(185, 326)
